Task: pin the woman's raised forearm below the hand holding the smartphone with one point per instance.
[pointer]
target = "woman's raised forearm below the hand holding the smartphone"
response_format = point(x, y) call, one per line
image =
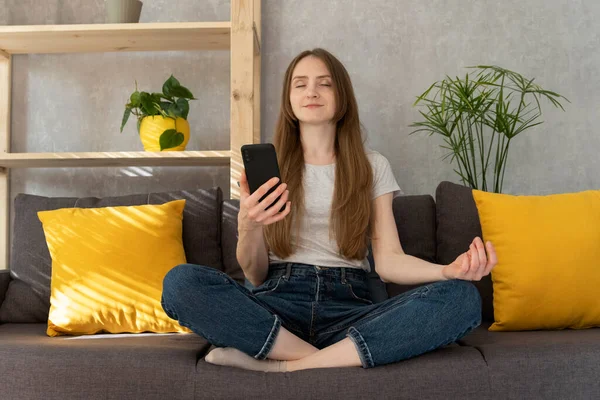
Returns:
point(251, 253)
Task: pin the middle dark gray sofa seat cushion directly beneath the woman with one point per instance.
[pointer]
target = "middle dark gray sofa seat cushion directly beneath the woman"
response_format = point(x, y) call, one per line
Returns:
point(451, 372)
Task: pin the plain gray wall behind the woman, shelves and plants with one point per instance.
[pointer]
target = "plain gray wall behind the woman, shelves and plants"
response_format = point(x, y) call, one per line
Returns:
point(393, 50)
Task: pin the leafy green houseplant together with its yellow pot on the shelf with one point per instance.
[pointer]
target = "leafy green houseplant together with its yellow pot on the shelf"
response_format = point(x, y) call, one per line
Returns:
point(161, 117)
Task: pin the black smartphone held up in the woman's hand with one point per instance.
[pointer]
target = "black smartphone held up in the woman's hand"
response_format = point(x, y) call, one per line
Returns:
point(260, 162)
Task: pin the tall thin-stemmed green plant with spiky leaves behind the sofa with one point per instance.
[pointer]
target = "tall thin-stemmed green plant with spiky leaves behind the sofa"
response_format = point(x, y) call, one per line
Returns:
point(473, 114)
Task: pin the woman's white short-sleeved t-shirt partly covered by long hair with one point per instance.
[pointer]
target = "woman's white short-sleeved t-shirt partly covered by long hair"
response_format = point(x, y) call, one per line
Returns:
point(314, 246)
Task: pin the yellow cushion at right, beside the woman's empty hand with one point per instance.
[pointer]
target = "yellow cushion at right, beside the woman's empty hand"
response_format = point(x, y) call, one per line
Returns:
point(548, 247)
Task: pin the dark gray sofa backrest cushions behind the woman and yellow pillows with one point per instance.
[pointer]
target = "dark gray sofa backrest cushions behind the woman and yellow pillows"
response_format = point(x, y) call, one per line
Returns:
point(435, 231)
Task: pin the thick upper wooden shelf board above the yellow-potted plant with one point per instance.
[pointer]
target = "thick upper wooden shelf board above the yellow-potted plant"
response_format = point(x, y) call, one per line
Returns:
point(85, 38)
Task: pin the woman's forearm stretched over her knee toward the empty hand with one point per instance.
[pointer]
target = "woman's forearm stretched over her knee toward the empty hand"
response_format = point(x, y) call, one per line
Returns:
point(404, 269)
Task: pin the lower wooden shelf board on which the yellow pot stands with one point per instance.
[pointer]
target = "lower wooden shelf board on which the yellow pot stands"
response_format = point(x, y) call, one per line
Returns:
point(115, 159)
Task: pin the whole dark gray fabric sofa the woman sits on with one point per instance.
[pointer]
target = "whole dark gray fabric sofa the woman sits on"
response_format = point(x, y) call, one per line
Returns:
point(482, 365)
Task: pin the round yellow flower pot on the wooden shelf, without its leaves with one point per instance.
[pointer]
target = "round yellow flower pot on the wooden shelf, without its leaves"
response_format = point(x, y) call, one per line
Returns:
point(152, 127)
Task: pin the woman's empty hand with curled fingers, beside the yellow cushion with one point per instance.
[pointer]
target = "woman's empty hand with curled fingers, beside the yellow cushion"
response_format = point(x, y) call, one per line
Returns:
point(473, 264)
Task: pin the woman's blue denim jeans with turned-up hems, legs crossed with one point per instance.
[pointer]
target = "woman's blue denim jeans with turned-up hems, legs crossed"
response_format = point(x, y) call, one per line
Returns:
point(321, 306)
